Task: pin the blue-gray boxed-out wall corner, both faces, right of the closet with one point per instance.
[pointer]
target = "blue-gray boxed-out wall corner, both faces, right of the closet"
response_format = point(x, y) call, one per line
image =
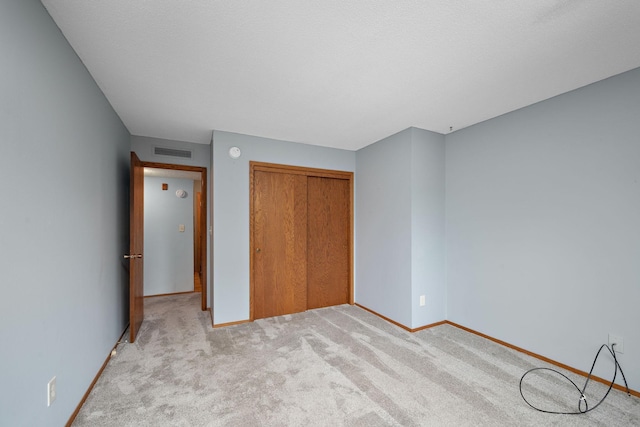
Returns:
point(400, 227)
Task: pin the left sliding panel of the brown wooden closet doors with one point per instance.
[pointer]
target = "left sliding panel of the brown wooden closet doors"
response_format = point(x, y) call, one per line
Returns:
point(280, 244)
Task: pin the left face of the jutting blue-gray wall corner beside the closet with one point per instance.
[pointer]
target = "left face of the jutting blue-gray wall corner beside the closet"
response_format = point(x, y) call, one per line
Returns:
point(383, 227)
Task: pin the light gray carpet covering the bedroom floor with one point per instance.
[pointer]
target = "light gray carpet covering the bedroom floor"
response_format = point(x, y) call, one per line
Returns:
point(338, 366)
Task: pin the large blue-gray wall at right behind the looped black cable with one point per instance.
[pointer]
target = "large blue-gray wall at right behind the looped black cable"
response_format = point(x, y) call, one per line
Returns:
point(543, 225)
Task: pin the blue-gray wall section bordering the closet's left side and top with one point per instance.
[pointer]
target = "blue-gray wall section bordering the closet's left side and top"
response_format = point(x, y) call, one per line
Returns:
point(231, 209)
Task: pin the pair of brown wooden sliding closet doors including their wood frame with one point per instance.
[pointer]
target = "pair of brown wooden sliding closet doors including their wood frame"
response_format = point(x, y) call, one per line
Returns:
point(257, 221)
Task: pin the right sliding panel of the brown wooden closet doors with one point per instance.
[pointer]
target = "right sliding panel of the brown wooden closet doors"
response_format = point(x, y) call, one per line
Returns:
point(328, 230)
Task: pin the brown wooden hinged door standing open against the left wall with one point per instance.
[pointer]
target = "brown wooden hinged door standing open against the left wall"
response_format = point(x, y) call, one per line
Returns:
point(136, 240)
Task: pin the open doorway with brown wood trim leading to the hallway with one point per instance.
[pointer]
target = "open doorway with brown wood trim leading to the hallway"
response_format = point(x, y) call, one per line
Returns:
point(185, 186)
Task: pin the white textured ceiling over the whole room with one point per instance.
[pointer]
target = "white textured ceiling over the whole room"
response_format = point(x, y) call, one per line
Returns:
point(340, 73)
